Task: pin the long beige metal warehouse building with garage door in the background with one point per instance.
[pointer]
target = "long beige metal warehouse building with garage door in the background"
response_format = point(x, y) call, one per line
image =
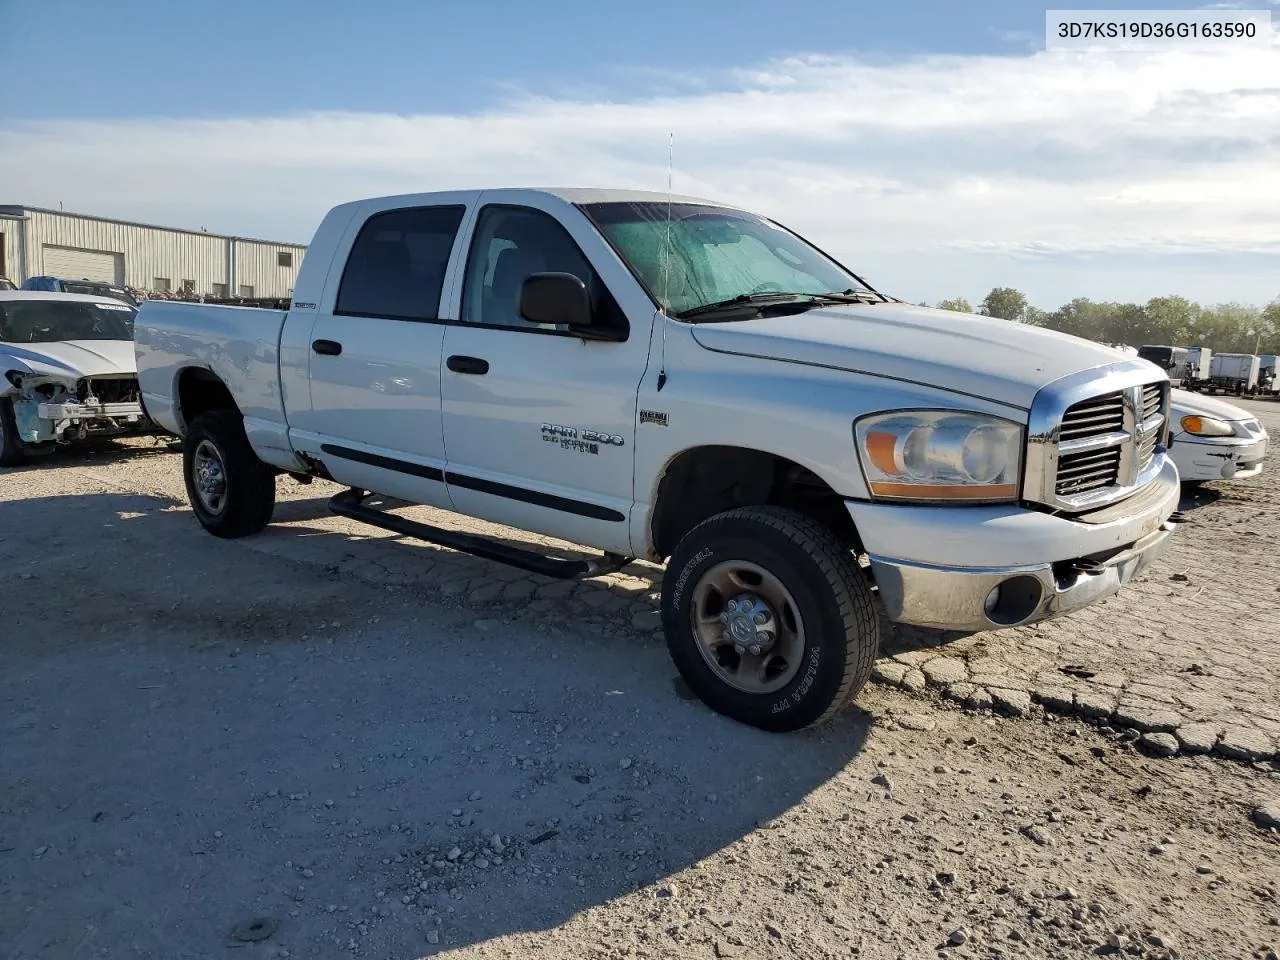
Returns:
point(36, 243)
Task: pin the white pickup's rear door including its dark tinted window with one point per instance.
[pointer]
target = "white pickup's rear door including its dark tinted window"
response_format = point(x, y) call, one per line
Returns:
point(374, 373)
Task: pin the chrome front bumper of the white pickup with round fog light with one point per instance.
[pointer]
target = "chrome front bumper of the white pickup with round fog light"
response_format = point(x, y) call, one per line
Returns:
point(956, 598)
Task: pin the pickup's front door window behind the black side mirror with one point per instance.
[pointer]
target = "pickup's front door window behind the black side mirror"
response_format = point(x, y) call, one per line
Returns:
point(509, 245)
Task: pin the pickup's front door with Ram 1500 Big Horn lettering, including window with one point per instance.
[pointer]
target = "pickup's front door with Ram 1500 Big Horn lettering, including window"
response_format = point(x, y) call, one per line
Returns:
point(540, 426)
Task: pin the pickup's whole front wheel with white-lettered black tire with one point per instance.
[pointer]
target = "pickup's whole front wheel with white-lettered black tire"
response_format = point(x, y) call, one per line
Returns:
point(769, 618)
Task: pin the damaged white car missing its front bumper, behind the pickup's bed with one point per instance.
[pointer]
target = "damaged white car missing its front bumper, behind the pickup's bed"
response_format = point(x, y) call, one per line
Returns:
point(68, 372)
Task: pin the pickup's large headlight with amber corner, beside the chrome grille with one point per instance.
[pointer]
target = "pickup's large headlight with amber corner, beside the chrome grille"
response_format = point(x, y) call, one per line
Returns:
point(940, 455)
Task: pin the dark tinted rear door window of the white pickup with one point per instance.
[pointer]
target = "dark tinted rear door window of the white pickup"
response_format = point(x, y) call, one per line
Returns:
point(397, 264)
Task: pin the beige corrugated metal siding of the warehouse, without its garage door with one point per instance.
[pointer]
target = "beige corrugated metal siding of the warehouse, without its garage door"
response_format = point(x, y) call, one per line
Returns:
point(153, 255)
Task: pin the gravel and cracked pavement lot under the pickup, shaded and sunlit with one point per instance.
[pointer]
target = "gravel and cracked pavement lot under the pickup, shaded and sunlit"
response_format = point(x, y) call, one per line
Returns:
point(323, 730)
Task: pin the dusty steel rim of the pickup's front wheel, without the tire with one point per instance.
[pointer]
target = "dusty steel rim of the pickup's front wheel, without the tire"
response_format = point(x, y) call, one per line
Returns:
point(719, 641)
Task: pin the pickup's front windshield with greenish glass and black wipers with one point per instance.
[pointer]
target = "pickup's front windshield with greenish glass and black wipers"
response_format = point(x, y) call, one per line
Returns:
point(716, 254)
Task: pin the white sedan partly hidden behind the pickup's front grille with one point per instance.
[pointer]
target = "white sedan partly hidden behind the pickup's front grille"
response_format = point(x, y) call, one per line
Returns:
point(1214, 440)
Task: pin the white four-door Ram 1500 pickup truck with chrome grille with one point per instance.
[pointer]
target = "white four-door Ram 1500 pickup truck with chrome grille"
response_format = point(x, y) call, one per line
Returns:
point(685, 382)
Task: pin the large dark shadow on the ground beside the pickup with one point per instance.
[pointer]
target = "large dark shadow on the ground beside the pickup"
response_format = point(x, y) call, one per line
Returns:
point(262, 676)
